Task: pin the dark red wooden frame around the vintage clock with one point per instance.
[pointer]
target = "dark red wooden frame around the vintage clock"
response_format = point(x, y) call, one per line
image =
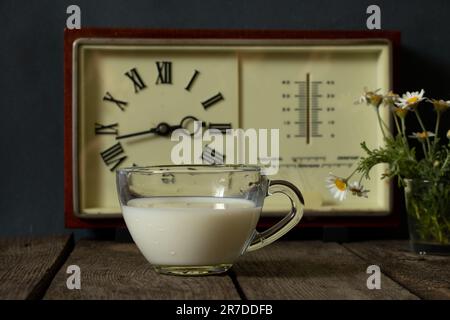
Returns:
point(72, 221)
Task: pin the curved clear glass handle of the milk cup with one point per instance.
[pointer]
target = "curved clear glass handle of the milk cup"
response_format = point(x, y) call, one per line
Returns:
point(275, 232)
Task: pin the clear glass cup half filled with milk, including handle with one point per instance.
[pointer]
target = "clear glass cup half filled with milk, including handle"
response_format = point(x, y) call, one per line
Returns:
point(198, 219)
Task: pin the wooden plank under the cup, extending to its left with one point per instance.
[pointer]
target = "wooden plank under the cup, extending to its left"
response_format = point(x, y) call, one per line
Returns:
point(111, 270)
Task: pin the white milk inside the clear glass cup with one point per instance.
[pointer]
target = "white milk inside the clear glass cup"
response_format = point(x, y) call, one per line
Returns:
point(191, 231)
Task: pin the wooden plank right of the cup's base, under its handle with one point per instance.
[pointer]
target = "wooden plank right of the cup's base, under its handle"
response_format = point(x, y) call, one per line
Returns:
point(310, 270)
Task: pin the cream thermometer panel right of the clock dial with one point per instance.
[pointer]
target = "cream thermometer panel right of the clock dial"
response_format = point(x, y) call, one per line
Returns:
point(321, 128)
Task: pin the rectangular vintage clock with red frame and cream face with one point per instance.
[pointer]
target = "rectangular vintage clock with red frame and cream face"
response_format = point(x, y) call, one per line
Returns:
point(127, 90)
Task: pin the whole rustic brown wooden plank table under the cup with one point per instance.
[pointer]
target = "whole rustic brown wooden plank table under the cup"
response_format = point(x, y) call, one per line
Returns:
point(36, 269)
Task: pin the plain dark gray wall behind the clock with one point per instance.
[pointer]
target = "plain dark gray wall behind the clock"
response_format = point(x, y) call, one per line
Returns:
point(31, 74)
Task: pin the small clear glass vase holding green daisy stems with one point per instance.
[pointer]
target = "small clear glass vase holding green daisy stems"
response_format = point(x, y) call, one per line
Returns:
point(428, 209)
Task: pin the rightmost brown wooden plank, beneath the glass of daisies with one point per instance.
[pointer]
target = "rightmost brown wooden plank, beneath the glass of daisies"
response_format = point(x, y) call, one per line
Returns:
point(426, 276)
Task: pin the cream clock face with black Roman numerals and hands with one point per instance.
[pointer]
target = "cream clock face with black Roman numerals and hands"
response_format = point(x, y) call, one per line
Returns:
point(129, 99)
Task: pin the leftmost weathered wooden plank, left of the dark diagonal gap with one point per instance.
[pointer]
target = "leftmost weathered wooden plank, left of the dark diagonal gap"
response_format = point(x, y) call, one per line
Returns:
point(27, 265)
